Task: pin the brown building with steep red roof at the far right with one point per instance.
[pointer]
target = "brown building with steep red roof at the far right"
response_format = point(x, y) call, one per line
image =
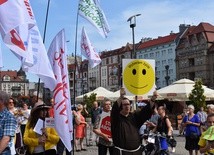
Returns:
point(194, 54)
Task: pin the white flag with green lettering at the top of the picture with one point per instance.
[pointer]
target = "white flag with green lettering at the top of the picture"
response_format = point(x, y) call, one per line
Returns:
point(94, 14)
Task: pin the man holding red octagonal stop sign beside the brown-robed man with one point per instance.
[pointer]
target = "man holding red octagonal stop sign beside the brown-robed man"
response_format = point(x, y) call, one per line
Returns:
point(102, 128)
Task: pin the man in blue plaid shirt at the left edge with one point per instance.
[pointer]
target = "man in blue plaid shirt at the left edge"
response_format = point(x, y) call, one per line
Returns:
point(8, 125)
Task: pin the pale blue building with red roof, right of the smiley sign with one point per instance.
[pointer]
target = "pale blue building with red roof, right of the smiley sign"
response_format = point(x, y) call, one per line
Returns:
point(162, 50)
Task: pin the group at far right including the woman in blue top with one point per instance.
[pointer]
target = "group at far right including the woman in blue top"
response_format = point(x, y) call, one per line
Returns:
point(196, 127)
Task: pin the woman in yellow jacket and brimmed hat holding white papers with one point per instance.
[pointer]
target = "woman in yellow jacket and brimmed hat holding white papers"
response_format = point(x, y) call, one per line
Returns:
point(44, 142)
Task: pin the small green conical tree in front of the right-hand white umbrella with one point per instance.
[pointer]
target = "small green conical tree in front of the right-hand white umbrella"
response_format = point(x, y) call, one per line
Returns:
point(197, 97)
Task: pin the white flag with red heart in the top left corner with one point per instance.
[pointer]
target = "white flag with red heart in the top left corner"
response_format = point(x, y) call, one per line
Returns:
point(15, 13)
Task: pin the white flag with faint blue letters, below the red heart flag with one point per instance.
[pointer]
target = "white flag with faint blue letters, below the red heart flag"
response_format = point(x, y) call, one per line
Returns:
point(41, 64)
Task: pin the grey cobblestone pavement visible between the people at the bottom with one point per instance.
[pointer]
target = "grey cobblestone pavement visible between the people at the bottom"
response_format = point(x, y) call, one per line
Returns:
point(180, 150)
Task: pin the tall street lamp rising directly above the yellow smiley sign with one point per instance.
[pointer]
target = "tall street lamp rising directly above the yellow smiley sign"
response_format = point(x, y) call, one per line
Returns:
point(132, 21)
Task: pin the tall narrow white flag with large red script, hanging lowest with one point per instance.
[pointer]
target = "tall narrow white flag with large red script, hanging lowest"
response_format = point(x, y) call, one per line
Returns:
point(57, 54)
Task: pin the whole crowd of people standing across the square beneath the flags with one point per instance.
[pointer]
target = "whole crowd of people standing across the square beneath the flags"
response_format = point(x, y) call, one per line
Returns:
point(110, 127)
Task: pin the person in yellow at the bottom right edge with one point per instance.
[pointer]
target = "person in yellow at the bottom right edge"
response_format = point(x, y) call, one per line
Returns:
point(206, 144)
